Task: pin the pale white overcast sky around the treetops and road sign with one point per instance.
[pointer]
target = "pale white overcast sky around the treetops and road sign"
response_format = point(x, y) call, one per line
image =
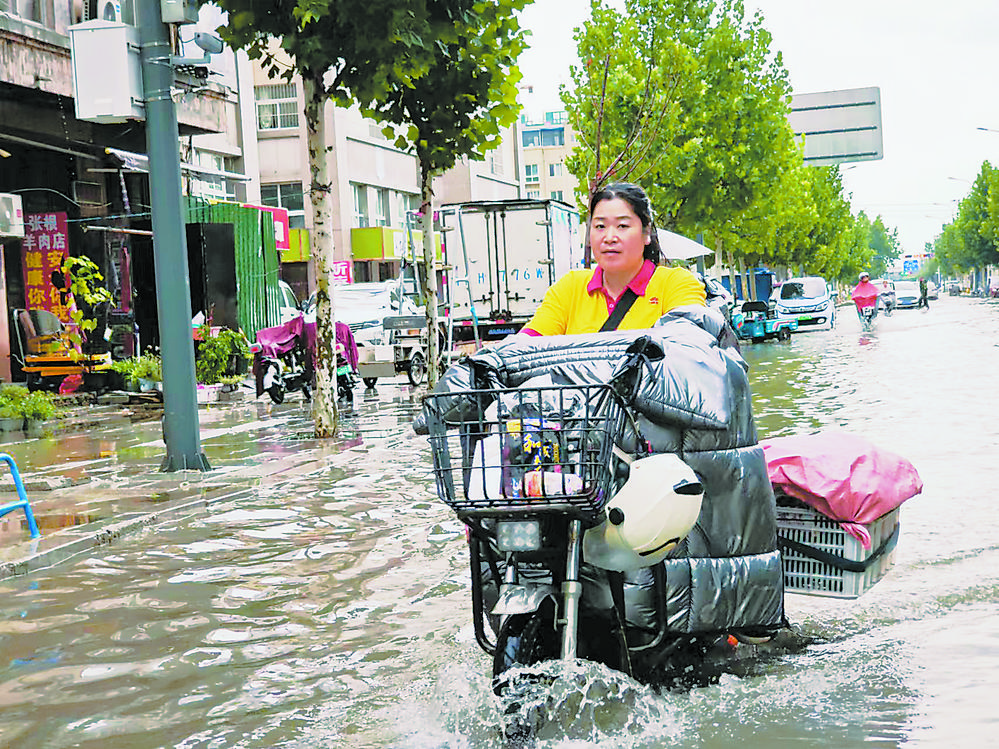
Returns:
point(936, 63)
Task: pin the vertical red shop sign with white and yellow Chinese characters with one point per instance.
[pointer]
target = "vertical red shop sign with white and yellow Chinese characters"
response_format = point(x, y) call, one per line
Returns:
point(44, 248)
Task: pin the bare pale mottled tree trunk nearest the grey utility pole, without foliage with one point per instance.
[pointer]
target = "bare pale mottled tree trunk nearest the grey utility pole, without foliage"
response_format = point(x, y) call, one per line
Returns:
point(324, 409)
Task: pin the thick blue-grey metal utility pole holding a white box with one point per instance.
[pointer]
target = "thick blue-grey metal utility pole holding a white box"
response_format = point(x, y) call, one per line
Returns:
point(173, 286)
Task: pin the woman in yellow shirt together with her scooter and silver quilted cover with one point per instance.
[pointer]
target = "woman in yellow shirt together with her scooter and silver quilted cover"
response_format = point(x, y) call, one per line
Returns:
point(668, 352)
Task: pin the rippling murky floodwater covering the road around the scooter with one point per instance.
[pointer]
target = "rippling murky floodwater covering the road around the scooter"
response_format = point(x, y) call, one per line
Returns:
point(332, 610)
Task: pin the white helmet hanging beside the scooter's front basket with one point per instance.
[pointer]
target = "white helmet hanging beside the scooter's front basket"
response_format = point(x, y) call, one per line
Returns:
point(654, 510)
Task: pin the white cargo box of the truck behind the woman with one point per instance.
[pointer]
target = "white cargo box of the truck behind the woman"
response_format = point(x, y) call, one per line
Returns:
point(500, 257)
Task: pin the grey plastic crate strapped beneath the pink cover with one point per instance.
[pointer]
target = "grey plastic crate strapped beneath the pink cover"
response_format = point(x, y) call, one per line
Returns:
point(803, 574)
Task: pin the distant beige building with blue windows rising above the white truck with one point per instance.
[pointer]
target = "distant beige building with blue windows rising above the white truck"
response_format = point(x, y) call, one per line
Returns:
point(546, 142)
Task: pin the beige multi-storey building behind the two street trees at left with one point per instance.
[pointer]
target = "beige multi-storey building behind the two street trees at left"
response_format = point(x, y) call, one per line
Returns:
point(375, 184)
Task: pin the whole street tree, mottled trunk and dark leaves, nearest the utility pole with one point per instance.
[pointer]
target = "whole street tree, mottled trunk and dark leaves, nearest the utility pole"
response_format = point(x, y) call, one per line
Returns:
point(347, 51)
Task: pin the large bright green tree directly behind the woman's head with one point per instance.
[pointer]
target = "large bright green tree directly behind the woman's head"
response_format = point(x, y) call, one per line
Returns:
point(688, 99)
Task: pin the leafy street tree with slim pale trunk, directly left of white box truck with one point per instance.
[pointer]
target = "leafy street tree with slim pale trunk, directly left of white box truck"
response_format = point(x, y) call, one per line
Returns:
point(456, 108)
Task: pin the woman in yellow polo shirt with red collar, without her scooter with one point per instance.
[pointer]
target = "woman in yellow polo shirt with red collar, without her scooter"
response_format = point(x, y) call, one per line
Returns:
point(627, 289)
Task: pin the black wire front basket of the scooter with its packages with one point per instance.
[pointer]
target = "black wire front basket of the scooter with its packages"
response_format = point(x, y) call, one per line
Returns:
point(526, 450)
